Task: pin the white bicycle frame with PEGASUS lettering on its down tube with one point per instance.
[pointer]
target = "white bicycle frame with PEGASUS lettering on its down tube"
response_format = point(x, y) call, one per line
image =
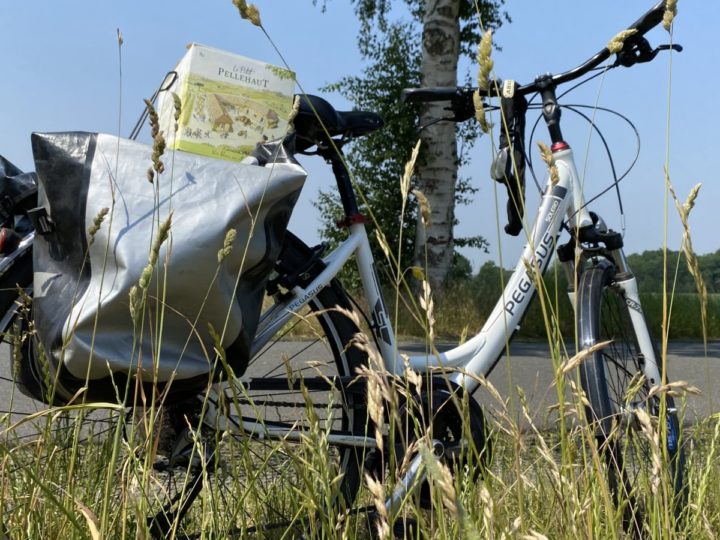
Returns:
point(479, 355)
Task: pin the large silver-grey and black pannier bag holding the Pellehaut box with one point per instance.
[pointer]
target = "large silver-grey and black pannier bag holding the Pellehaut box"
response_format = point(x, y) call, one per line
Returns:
point(84, 273)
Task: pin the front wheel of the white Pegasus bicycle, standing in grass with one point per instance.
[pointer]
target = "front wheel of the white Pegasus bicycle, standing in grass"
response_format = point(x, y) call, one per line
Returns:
point(606, 377)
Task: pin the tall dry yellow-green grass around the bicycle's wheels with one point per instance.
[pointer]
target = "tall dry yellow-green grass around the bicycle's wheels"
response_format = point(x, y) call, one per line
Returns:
point(99, 470)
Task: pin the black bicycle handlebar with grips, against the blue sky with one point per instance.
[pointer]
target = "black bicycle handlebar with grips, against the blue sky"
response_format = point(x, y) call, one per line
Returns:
point(644, 24)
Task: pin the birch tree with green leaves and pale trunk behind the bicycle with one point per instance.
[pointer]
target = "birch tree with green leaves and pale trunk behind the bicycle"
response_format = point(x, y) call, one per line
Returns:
point(443, 31)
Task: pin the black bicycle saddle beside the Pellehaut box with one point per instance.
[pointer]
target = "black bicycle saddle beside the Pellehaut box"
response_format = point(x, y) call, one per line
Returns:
point(315, 112)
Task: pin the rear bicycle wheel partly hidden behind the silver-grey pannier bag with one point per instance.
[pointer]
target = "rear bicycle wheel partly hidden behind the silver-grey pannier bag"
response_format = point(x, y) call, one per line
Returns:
point(115, 465)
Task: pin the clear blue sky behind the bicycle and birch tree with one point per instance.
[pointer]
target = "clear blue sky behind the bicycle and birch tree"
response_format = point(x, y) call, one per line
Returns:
point(60, 69)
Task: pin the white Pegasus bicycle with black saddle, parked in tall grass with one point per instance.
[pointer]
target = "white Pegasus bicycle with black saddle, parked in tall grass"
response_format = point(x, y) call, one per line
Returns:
point(270, 402)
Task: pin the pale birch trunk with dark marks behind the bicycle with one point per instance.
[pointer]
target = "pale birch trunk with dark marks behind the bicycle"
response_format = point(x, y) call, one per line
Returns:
point(437, 175)
